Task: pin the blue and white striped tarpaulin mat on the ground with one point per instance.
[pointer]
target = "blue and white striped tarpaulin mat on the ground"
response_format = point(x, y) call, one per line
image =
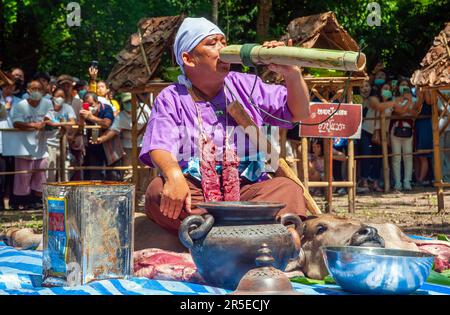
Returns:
point(21, 273)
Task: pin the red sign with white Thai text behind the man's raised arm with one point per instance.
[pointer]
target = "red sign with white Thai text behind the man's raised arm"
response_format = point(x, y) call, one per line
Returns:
point(345, 123)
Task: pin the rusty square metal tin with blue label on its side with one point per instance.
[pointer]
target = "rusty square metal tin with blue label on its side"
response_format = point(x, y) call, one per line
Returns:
point(88, 232)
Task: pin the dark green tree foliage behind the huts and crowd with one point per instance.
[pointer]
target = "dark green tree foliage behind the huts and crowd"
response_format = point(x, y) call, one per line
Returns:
point(35, 35)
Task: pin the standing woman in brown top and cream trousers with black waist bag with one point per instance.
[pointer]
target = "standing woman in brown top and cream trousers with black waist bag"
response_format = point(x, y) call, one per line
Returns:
point(401, 133)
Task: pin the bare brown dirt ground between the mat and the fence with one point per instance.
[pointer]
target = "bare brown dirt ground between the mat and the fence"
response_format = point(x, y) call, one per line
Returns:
point(415, 212)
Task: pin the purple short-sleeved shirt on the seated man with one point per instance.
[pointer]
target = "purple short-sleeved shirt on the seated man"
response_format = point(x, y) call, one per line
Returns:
point(173, 124)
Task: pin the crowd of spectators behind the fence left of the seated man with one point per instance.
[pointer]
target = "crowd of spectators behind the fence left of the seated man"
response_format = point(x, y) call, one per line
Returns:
point(42, 109)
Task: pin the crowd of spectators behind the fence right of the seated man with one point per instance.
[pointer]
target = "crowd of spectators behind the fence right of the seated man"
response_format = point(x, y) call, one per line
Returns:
point(407, 112)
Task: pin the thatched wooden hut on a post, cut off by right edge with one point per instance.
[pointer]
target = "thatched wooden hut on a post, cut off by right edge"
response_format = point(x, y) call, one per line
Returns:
point(434, 76)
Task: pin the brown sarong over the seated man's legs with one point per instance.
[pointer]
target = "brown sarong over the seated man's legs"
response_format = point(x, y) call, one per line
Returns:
point(278, 189)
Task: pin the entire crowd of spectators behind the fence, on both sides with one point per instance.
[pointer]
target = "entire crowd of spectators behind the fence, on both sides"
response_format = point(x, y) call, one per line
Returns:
point(97, 126)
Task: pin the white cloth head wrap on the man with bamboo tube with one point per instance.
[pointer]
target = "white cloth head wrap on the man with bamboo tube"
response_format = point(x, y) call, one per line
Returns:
point(191, 32)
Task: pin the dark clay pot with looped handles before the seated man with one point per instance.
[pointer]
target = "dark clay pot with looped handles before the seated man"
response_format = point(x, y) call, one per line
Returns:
point(224, 243)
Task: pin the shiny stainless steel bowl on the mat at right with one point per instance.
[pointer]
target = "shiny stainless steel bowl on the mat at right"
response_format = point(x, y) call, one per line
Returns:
point(372, 270)
